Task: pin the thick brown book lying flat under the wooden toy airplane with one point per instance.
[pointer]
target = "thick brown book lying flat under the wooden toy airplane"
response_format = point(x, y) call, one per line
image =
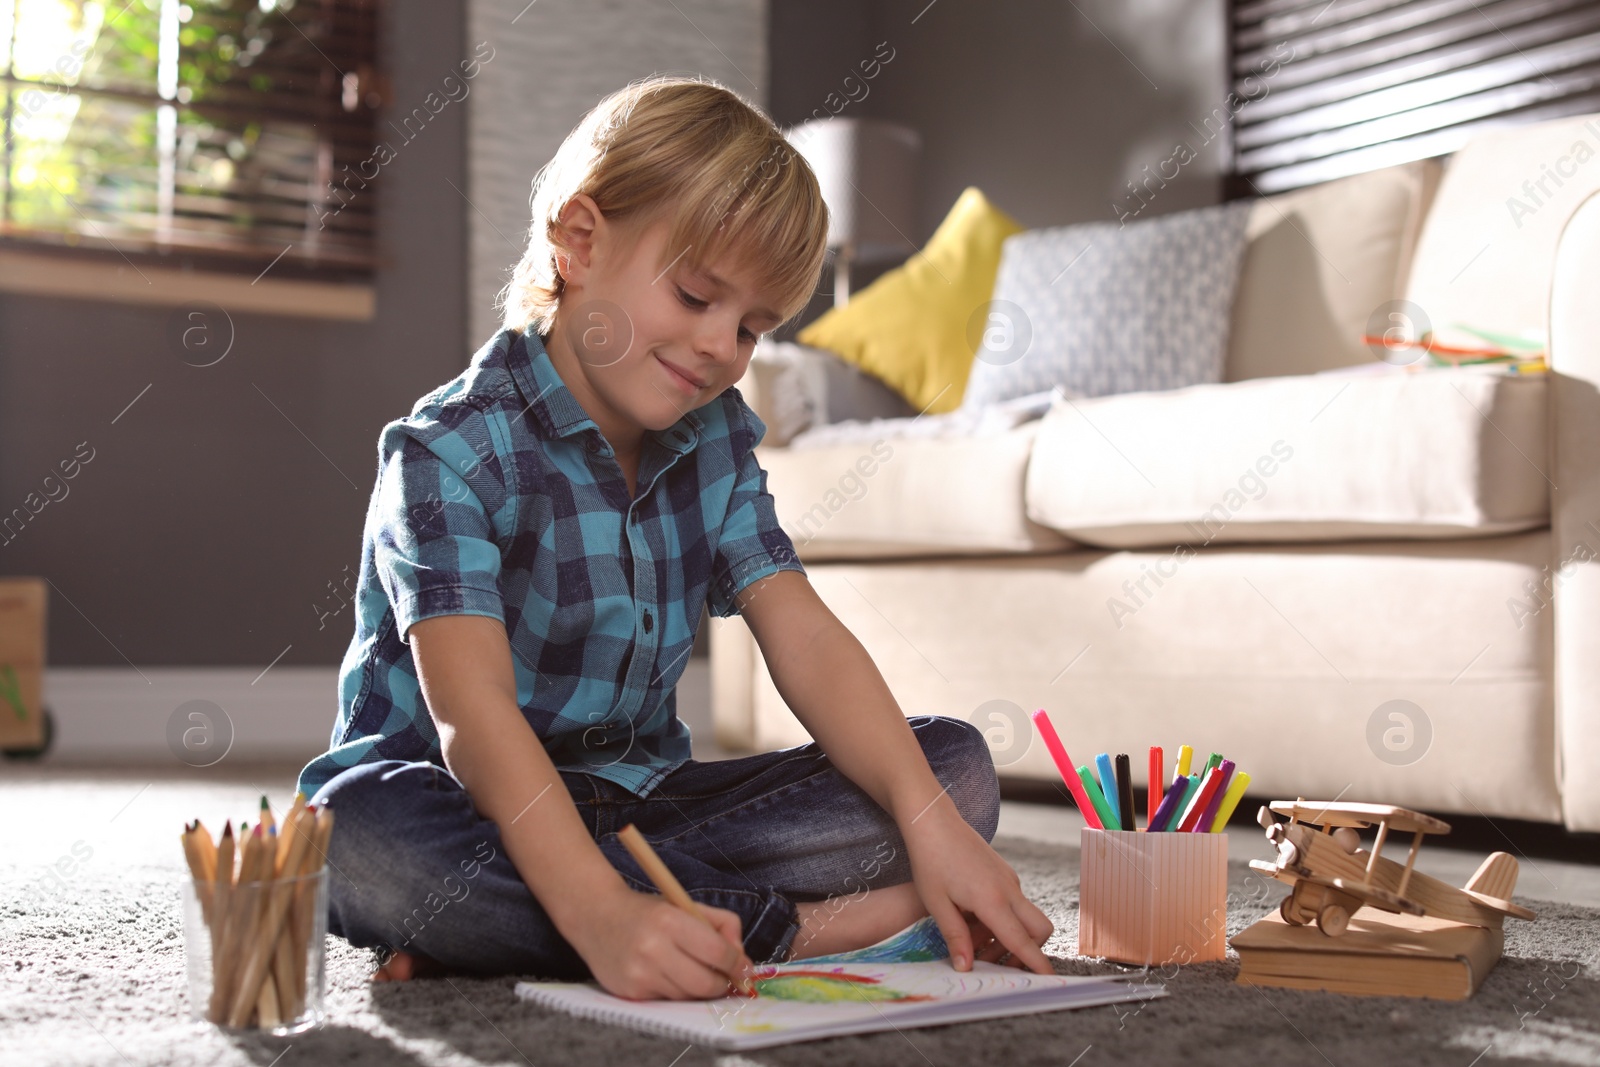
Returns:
point(1380, 956)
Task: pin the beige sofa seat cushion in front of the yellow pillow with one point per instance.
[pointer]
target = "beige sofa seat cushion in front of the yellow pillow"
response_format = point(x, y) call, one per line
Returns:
point(908, 497)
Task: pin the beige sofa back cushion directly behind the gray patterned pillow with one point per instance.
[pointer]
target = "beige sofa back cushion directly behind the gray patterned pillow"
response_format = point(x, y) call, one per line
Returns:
point(1318, 265)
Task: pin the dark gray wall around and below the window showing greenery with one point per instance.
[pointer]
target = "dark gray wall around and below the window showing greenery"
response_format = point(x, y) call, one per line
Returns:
point(209, 526)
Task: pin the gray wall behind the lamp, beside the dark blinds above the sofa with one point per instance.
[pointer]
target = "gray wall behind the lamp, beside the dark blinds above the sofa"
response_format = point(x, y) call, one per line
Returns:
point(1049, 106)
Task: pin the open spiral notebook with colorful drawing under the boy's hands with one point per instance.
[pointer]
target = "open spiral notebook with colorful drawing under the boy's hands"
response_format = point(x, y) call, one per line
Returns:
point(902, 983)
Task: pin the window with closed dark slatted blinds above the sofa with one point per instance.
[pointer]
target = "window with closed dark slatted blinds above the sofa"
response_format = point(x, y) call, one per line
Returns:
point(1330, 89)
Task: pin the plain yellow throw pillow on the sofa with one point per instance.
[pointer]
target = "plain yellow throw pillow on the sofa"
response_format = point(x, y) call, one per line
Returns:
point(911, 327)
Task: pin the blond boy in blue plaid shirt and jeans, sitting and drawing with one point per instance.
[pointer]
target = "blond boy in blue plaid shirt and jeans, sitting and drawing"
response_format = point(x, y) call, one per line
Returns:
point(543, 535)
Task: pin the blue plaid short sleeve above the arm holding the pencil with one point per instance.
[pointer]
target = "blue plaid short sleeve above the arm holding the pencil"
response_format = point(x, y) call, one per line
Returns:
point(434, 543)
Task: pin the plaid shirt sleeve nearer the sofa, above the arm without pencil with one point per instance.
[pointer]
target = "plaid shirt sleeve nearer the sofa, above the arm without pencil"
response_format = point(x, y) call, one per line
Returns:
point(753, 545)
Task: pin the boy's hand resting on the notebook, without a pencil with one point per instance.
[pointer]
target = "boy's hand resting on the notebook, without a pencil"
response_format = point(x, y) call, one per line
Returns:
point(974, 893)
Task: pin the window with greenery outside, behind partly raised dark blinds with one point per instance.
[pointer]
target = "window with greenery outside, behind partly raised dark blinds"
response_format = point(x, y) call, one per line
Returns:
point(207, 134)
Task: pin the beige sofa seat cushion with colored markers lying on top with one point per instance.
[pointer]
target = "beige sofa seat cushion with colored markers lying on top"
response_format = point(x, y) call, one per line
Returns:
point(1380, 454)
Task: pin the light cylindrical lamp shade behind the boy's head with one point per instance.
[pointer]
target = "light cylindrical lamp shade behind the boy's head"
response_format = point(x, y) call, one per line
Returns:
point(868, 172)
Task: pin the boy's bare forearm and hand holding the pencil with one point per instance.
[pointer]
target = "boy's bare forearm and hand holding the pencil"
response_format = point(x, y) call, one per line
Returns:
point(638, 945)
